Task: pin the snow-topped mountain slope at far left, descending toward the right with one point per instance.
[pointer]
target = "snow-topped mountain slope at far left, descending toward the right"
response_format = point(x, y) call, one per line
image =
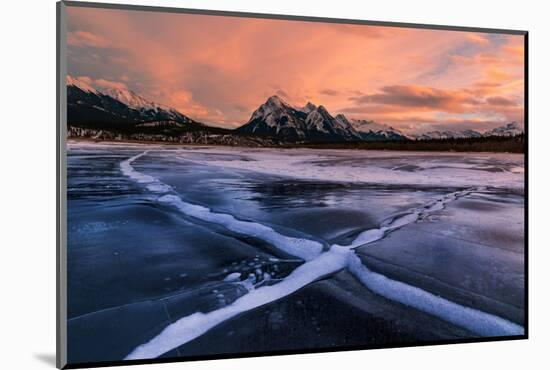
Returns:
point(120, 108)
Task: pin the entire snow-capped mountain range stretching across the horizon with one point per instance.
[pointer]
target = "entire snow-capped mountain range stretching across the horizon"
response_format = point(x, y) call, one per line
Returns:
point(119, 111)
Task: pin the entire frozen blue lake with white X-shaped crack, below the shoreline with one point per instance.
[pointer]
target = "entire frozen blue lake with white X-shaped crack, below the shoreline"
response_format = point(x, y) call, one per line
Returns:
point(189, 251)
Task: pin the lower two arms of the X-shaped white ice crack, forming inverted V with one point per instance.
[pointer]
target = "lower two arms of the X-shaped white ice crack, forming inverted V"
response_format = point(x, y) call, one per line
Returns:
point(337, 258)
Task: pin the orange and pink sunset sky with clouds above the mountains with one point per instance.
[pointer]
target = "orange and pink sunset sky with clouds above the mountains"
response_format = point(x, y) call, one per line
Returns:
point(218, 70)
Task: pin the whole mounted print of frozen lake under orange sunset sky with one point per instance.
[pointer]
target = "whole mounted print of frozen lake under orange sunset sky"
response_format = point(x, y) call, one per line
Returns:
point(234, 184)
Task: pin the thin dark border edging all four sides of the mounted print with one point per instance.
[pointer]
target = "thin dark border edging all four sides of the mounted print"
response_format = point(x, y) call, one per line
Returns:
point(61, 175)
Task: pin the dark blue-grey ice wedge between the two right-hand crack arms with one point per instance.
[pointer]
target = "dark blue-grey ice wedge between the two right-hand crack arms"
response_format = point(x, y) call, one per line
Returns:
point(471, 252)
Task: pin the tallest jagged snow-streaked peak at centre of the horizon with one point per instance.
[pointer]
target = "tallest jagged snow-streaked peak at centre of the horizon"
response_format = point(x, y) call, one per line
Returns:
point(311, 123)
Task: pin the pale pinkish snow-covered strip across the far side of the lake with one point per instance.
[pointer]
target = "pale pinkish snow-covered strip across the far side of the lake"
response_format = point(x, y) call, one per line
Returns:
point(433, 169)
